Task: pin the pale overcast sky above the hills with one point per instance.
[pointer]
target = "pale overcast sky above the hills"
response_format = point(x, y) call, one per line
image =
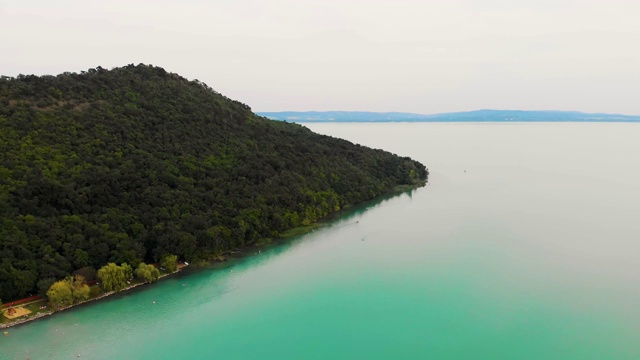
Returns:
point(354, 55)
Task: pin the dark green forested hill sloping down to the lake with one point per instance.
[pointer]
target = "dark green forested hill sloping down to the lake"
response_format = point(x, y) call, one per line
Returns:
point(130, 164)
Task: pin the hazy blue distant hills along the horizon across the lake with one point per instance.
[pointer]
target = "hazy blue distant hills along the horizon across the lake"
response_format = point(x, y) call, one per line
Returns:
point(467, 116)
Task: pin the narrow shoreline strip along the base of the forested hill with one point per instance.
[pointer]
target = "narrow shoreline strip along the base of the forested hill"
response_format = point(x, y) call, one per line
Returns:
point(236, 253)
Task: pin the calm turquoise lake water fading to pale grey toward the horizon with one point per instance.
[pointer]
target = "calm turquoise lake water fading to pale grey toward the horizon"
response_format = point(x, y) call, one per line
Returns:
point(525, 245)
